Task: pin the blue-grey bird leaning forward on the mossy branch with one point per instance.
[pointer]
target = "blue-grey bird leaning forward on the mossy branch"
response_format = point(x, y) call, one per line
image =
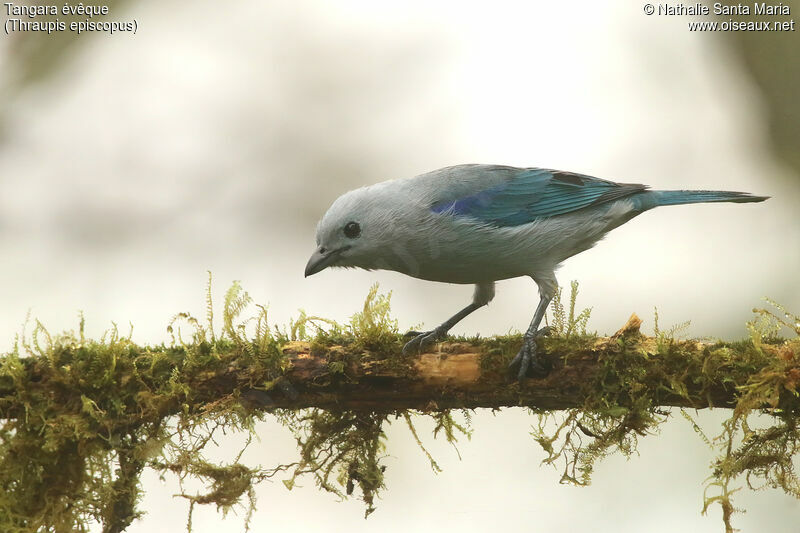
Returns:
point(478, 224)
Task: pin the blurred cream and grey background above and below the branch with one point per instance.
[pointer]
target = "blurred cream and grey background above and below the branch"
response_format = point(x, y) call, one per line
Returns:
point(217, 135)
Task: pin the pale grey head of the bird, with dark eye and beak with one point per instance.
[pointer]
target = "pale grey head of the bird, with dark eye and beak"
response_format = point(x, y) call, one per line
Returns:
point(350, 233)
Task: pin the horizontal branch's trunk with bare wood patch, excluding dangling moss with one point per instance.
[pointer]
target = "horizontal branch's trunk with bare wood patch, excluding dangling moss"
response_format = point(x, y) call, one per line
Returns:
point(468, 374)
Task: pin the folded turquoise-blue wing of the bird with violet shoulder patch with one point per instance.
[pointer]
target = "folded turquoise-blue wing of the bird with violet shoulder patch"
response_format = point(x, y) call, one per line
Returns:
point(528, 194)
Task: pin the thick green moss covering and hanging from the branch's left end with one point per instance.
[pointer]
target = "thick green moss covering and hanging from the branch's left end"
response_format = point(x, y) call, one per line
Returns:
point(88, 416)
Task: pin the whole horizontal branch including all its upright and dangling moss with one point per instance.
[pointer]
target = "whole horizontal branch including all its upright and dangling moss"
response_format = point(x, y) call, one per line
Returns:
point(82, 419)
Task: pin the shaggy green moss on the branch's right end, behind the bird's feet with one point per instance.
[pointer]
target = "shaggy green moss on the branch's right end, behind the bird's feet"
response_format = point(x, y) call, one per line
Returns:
point(622, 405)
